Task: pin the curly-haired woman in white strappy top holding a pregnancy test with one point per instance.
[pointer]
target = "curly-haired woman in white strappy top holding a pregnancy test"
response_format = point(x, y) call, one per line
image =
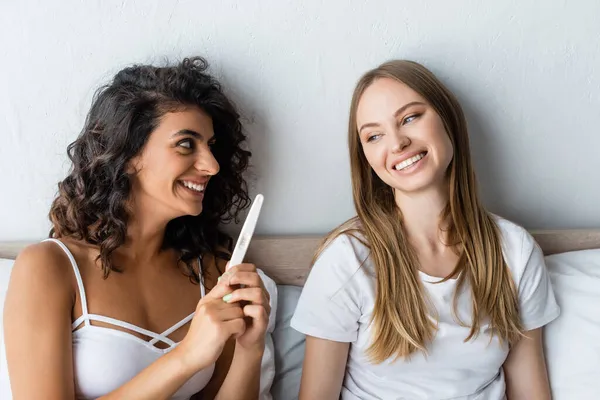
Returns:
point(123, 300)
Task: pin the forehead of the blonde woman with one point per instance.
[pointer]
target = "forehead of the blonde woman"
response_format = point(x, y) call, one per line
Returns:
point(382, 98)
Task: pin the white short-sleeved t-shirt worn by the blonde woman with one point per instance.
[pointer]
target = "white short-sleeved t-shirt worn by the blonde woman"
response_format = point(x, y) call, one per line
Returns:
point(338, 300)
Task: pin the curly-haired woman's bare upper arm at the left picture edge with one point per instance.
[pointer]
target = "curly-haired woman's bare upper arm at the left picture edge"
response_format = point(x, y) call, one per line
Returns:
point(37, 325)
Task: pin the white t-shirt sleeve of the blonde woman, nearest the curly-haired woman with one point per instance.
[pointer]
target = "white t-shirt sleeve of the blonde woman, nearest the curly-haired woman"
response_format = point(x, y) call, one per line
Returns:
point(330, 304)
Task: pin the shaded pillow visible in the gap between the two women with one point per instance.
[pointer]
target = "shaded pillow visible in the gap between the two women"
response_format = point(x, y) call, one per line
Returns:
point(289, 346)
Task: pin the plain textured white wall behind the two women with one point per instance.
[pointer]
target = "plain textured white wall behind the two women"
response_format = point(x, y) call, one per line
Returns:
point(527, 73)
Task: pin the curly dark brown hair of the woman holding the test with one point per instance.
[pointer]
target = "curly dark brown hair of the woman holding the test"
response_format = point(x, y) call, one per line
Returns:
point(91, 204)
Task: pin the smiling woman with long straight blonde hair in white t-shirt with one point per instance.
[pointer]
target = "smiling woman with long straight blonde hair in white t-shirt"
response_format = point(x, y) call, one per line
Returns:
point(424, 294)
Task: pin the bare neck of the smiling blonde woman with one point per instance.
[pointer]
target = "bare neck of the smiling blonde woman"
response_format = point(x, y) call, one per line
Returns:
point(421, 217)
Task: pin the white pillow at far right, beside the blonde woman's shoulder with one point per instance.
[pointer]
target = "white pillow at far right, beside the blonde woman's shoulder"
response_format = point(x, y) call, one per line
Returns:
point(572, 341)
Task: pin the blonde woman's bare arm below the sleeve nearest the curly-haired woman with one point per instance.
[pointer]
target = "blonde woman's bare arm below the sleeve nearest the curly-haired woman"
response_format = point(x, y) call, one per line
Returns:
point(323, 369)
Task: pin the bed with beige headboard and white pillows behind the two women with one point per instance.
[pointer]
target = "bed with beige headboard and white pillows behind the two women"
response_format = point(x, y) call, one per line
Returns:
point(572, 342)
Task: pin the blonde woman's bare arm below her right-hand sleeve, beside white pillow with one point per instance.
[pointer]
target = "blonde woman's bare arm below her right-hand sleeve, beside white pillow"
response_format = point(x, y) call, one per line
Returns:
point(525, 369)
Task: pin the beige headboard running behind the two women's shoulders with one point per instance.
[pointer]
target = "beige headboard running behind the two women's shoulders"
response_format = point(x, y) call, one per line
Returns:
point(287, 258)
